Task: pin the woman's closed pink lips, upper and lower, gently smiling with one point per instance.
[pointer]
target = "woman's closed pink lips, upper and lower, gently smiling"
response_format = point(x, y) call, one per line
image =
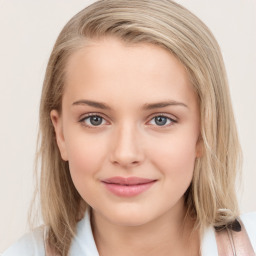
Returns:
point(127, 186)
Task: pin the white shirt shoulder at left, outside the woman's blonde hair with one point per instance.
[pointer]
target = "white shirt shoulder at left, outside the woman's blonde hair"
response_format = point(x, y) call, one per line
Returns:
point(31, 244)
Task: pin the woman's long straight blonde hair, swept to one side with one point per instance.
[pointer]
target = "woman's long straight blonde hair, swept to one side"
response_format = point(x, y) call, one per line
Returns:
point(211, 197)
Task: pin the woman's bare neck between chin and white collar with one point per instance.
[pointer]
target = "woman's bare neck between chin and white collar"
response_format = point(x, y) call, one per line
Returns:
point(169, 234)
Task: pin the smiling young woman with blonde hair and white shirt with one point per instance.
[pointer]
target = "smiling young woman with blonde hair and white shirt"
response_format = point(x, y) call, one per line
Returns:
point(139, 149)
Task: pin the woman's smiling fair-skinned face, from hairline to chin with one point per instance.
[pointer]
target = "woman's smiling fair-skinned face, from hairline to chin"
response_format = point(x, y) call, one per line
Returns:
point(129, 129)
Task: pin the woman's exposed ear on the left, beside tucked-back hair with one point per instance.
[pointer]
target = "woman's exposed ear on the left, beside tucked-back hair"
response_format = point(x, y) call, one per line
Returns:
point(58, 127)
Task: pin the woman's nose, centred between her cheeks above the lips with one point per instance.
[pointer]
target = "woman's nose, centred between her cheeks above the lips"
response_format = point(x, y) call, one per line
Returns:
point(126, 147)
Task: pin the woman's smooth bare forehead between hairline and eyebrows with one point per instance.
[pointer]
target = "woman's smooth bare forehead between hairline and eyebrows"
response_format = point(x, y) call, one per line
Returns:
point(109, 67)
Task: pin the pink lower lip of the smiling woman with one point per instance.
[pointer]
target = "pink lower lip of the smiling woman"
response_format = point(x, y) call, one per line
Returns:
point(128, 191)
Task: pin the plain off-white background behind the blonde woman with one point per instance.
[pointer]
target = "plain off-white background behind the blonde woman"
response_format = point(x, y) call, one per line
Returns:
point(28, 30)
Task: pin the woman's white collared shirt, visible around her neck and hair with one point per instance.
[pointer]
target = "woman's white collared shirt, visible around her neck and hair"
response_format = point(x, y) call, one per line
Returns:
point(83, 244)
